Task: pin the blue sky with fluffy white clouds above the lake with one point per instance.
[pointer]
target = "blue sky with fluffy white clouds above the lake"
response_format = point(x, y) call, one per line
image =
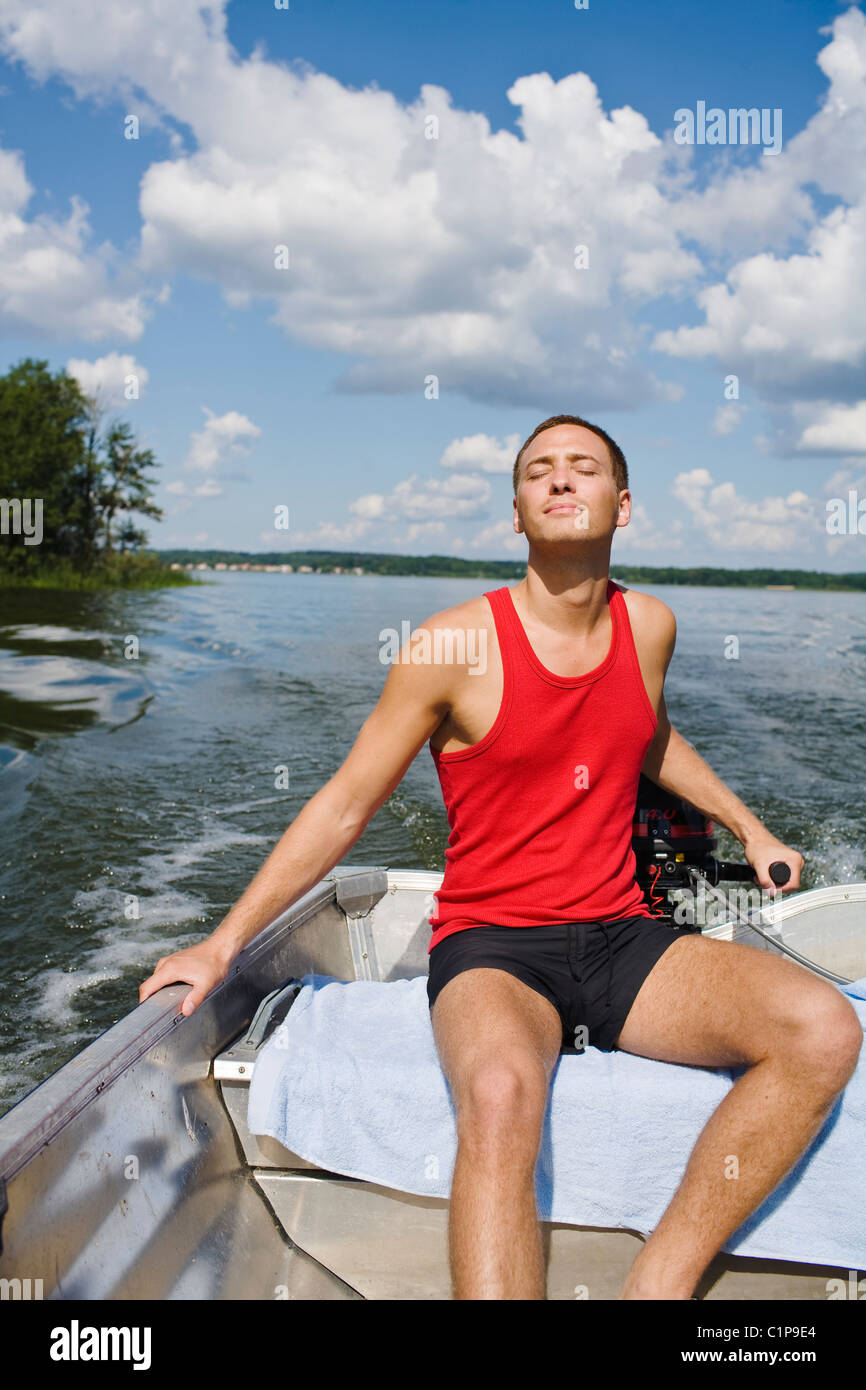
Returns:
point(334, 262)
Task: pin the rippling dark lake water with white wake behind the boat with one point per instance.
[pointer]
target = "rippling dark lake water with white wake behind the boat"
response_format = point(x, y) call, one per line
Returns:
point(154, 779)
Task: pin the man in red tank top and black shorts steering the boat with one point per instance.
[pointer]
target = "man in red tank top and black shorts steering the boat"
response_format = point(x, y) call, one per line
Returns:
point(534, 936)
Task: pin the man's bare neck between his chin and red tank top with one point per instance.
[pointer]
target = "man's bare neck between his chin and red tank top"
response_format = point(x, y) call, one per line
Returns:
point(568, 596)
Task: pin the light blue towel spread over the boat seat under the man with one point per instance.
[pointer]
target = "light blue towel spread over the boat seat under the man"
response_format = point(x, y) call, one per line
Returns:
point(352, 1082)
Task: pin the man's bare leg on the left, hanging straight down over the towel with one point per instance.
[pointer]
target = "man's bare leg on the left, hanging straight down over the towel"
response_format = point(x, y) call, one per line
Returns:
point(498, 1042)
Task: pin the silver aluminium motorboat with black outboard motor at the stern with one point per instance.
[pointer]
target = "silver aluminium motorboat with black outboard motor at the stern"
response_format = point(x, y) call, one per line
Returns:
point(130, 1174)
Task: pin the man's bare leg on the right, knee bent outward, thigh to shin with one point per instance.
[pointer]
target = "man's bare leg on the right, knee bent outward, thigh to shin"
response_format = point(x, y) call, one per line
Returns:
point(711, 1003)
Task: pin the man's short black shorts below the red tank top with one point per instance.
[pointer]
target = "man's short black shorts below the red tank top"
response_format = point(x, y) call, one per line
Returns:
point(591, 972)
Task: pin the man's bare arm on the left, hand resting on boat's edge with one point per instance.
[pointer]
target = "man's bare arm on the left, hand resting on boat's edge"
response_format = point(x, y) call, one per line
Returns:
point(414, 703)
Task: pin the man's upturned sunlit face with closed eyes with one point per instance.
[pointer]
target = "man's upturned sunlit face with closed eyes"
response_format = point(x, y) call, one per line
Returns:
point(566, 490)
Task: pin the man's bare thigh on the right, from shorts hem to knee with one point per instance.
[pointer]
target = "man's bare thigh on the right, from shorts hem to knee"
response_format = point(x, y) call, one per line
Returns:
point(711, 1003)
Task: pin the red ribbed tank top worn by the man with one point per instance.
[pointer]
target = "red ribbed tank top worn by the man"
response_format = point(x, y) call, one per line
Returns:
point(541, 810)
